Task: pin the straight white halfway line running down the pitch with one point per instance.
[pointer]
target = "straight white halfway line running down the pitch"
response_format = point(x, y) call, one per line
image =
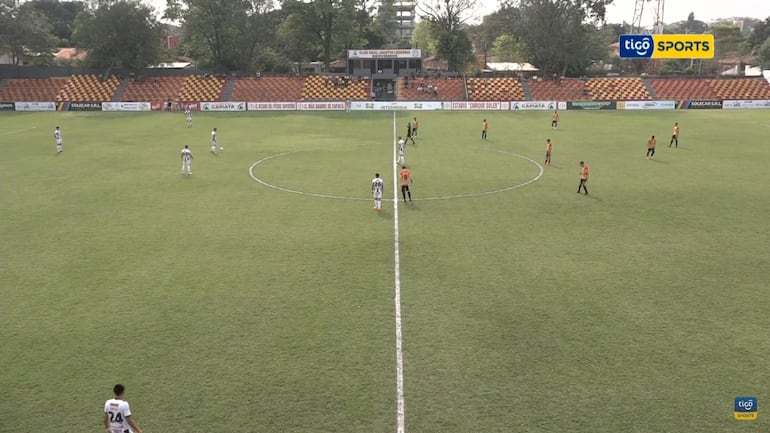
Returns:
point(400, 411)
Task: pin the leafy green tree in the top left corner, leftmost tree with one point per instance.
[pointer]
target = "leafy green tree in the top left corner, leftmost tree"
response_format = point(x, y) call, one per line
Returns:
point(25, 33)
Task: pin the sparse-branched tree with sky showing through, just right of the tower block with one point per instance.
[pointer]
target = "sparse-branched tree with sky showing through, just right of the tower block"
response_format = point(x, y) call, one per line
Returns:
point(446, 19)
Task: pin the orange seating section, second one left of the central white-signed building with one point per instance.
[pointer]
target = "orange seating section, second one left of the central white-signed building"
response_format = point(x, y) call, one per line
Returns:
point(268, 89)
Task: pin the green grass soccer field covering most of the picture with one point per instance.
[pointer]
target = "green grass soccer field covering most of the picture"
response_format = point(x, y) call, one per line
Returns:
point(257, 295)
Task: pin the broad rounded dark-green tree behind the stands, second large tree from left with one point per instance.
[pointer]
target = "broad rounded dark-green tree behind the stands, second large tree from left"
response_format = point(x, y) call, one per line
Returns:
point(123, 34)
